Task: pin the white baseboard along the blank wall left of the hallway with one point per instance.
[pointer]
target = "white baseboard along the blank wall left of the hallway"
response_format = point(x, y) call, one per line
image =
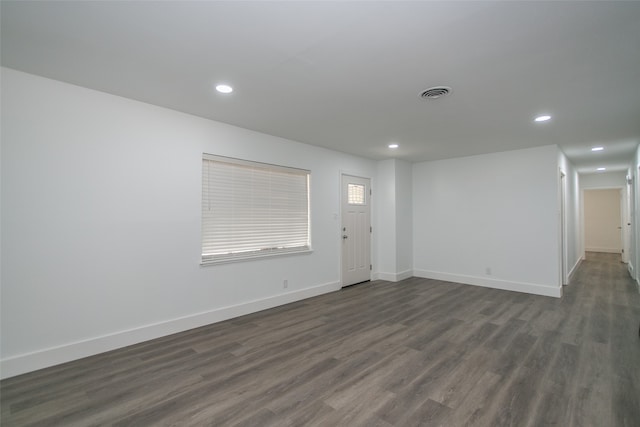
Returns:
point(530, 288)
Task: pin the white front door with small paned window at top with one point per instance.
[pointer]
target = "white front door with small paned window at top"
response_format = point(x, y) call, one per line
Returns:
point(356, 230)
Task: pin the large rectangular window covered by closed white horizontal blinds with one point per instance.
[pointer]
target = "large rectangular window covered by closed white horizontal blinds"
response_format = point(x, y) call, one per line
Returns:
point(252, 209)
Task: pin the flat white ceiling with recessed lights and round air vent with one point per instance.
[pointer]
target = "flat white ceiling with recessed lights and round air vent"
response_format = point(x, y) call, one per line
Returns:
point(347, 75)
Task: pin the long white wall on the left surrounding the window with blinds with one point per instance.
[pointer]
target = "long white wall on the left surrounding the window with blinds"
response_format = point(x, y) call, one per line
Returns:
point(101, 223)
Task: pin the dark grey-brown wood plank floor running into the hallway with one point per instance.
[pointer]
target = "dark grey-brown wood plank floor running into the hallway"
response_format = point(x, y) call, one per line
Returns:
point(414, 353)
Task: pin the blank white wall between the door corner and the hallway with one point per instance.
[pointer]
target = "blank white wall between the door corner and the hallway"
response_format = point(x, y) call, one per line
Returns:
point(497, 211)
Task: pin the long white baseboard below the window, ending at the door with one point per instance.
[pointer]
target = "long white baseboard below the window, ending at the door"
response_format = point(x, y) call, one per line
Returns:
point(28, 362)
